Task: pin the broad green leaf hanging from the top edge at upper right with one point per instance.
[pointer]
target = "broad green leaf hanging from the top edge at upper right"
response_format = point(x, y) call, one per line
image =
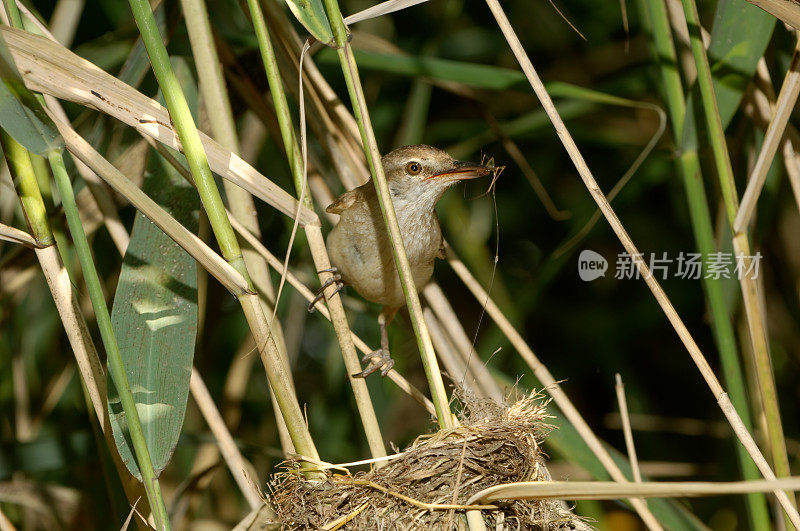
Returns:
point(740, 34)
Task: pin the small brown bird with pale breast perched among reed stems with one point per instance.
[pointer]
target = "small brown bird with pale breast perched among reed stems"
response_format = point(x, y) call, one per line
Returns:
point(359, 245)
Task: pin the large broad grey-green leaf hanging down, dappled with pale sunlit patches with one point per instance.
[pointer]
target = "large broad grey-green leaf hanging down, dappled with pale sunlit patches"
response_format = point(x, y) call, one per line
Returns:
point(155, 315)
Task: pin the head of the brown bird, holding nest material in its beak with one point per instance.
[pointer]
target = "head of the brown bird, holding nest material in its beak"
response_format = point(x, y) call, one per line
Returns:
point(421, 174)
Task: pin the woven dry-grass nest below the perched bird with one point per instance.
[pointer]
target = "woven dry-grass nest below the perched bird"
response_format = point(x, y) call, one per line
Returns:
point(492, 446)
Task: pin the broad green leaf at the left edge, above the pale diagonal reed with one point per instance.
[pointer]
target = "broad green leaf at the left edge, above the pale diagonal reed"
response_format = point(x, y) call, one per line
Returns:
point(21, 114)
